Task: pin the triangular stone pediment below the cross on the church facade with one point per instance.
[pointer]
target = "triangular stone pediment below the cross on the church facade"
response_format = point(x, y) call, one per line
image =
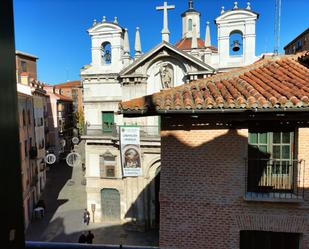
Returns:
point(166, 52)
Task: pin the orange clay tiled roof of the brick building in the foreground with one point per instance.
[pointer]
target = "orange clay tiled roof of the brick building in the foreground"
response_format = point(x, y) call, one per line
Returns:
point(271, 83)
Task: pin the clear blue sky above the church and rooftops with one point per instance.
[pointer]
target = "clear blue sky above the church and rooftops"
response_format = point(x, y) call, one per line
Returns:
point(55, 30)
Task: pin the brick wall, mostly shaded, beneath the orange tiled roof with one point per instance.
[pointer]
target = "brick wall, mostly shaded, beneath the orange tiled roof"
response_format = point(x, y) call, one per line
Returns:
point(202, 191)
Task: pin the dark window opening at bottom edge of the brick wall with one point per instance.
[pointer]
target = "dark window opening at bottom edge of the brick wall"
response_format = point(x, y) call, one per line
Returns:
point(268, 240)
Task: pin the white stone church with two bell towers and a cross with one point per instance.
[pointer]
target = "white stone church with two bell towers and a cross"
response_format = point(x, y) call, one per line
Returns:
point(114, 76)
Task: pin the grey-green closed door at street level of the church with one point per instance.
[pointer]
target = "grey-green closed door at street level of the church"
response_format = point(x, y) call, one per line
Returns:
point(110, 204)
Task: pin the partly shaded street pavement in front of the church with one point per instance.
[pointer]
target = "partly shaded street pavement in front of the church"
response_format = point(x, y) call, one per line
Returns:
point(65, 199)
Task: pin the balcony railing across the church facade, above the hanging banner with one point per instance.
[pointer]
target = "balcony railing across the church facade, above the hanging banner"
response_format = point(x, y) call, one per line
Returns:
point(97, 130)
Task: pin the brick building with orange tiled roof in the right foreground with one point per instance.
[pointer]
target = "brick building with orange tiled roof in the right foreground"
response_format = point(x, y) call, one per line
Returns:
point(235, 157)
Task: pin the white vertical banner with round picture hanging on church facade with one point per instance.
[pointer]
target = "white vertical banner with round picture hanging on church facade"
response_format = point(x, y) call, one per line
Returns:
point(130, 150)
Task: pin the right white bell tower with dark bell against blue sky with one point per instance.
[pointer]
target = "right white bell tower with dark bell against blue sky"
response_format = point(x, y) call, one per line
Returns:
point(236, 36)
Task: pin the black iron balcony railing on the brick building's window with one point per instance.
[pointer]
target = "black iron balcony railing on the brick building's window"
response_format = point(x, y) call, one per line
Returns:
point(275, 179)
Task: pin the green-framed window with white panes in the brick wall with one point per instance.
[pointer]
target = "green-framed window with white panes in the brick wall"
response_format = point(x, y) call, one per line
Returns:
point(270, 161)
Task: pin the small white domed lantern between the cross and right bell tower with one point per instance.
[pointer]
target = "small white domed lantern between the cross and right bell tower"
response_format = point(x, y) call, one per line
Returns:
point(190, 18)
